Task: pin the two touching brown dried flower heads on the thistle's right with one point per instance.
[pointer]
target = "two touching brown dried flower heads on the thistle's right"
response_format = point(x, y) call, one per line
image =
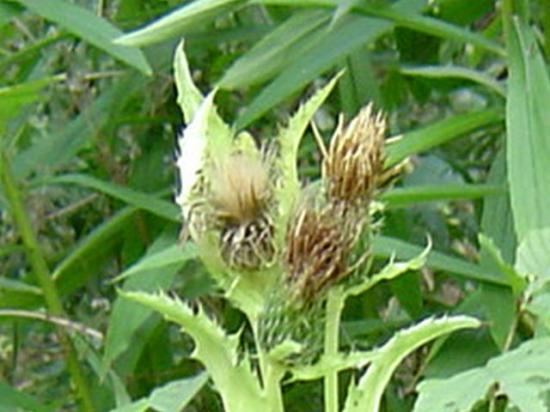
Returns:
point(322, 236)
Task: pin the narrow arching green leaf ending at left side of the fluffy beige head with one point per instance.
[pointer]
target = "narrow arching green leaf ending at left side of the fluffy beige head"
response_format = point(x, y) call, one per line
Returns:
point(144, 201)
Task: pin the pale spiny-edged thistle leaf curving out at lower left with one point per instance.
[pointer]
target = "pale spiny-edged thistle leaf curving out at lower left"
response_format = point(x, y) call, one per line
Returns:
point(232, 375)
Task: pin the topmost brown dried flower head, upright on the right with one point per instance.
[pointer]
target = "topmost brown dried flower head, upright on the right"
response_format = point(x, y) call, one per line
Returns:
point(355, 158)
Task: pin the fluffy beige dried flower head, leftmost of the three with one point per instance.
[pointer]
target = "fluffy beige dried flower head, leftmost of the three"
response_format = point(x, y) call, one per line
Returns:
point(239, 195)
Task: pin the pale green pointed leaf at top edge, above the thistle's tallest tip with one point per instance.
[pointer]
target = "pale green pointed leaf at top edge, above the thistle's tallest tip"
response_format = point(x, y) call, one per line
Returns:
point(178, 21)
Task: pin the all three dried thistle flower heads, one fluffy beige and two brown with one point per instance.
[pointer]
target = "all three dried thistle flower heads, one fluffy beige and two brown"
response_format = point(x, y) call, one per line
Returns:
point(236, 201)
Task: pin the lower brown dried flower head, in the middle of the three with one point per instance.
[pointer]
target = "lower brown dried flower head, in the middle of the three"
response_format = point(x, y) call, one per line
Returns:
point(319, 241)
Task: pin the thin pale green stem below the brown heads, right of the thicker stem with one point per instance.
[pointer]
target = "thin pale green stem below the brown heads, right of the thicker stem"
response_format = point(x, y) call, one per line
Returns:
point(335, 304)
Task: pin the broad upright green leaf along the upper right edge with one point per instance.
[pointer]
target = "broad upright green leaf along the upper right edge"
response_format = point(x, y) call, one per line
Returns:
point(527, 124)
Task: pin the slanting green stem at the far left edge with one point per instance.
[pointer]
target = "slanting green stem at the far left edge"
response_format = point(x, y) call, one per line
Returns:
point(41, 271)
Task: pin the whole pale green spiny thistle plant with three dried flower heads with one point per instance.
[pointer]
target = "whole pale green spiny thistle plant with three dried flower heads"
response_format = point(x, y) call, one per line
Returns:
point(287, 256)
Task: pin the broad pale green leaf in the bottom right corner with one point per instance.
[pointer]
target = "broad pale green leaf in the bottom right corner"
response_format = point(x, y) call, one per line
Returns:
point(523, 375)
